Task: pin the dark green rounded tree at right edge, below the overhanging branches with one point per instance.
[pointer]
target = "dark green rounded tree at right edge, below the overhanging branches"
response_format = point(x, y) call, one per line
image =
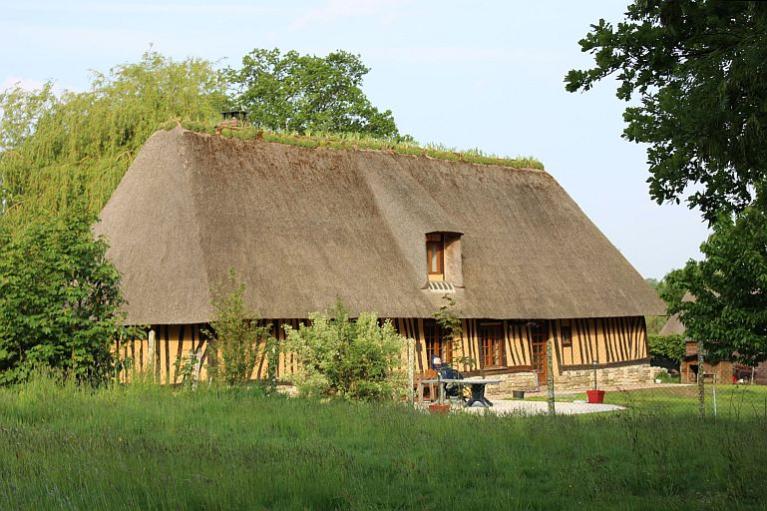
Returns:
point(728, 314)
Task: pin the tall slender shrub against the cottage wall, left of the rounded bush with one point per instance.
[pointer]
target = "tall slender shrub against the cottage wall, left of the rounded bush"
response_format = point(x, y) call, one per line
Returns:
point(238, 341)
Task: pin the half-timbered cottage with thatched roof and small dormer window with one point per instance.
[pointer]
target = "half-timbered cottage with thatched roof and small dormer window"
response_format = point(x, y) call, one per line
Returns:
point(383, 232)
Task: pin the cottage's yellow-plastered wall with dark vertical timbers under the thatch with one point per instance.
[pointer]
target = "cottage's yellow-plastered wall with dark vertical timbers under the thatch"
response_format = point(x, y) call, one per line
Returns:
point(579, 344)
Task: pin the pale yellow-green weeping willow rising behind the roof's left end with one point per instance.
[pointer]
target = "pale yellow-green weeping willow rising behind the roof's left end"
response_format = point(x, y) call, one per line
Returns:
point(57, 150)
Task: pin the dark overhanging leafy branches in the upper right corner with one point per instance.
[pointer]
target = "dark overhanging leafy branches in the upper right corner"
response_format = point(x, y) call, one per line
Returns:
point(700, 71)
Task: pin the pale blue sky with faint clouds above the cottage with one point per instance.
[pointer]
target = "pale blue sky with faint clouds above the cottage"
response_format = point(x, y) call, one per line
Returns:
point(467, 74)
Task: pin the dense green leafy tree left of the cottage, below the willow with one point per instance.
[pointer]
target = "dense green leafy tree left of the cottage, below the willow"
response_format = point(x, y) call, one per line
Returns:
point(59, 301)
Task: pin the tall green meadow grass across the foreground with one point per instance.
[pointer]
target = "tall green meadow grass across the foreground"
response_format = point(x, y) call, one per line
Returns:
point(153, 448)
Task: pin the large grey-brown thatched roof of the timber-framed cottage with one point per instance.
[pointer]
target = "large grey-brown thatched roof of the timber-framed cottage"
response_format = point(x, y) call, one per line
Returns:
point(303, 227)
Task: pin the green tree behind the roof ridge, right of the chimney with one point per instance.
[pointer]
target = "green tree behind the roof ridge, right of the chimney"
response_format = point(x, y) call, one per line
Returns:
point(294, 92)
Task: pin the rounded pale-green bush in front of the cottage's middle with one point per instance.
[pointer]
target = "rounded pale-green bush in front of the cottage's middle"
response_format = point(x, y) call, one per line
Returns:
point(351, 359)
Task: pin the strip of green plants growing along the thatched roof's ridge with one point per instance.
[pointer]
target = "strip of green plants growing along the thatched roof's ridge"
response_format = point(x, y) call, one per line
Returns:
point(356, 141)
